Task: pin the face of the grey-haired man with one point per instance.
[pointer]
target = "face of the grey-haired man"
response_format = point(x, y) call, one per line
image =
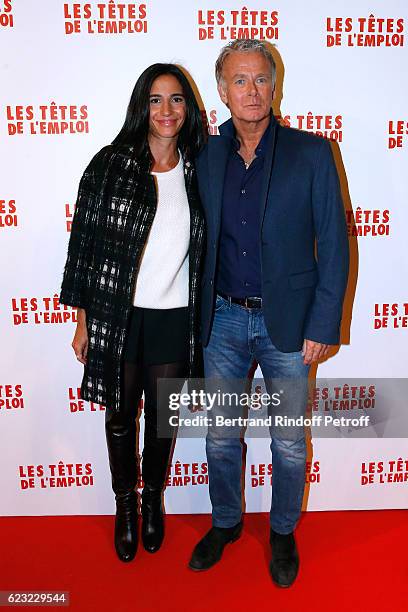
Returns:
point(246, 86)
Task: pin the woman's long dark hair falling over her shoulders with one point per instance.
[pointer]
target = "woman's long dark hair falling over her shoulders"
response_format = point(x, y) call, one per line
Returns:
point(136, 126)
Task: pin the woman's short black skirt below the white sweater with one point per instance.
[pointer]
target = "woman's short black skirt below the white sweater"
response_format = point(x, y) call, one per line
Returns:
point(157, 336)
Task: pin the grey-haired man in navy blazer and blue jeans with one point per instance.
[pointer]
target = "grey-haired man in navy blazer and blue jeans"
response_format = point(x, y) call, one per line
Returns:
point(270, 194)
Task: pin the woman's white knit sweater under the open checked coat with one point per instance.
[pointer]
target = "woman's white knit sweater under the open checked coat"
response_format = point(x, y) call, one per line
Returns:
point(162, 280)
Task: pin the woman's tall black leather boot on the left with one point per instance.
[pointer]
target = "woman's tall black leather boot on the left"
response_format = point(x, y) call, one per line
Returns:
point(121, 441)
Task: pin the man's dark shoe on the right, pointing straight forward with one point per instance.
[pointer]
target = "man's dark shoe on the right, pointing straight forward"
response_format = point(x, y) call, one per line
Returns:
point(285, 560)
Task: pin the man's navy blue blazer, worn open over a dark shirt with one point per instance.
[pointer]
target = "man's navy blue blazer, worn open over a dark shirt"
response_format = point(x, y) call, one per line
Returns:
point(301, 206)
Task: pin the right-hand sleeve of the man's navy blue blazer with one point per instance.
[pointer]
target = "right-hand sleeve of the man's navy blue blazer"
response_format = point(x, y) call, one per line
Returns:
point(324, 317)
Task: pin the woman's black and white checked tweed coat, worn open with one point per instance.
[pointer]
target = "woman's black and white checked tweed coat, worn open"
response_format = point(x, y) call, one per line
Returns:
point(114, 212)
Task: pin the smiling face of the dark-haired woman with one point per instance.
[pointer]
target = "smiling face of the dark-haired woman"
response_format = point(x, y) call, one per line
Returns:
point(167, 107)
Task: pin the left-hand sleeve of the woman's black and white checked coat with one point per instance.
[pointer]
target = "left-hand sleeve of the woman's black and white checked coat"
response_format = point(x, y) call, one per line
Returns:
point(77, 265)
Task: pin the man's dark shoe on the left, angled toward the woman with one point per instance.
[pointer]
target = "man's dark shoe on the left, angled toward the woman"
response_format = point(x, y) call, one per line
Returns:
point(209, 550)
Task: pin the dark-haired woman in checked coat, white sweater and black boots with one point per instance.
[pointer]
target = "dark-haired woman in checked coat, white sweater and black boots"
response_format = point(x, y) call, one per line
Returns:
point(132, 271)
